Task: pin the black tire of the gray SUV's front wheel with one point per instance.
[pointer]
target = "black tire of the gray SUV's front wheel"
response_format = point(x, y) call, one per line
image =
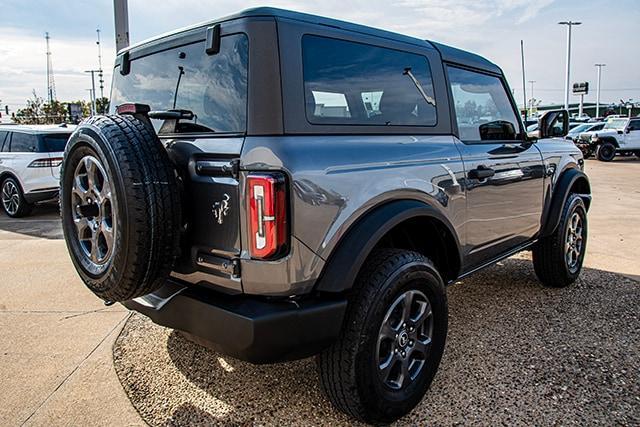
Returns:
point(550, 254)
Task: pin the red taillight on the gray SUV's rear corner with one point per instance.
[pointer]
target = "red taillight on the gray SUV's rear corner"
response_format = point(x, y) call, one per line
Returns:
point(267, 215)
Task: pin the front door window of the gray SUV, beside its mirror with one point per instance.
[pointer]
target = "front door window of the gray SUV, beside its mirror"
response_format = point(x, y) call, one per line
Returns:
point(483, 109)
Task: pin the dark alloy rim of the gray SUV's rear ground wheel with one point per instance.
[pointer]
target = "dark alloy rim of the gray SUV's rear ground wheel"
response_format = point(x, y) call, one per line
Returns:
point(404, 340)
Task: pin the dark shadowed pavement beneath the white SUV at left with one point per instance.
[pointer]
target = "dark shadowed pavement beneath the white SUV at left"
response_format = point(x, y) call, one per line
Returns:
point(43, 222)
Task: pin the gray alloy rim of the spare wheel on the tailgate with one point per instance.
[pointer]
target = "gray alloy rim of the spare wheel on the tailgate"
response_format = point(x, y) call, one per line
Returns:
point(93, 211)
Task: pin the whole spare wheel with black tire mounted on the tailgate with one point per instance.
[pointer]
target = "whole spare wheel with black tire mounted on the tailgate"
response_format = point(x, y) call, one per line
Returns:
point(140, 209)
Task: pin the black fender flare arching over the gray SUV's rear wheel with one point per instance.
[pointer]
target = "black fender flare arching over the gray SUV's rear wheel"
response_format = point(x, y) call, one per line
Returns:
point(346, 260)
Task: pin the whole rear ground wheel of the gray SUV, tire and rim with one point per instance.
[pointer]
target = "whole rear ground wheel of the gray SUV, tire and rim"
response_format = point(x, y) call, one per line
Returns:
point(392, 340)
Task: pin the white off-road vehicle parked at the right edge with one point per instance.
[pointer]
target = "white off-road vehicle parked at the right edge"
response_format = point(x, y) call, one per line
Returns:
point(619, 135)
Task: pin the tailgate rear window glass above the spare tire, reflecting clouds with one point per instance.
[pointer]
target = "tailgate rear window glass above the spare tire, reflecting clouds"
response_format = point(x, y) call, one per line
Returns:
point(212, 87)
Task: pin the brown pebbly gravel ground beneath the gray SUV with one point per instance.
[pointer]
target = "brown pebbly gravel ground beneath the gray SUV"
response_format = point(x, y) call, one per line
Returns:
point(516, 354)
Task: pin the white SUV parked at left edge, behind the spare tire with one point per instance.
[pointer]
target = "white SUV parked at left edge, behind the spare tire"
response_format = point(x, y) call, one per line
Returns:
point(30, 159)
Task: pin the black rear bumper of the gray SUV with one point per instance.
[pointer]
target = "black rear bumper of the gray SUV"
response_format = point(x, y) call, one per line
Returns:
point(256, 330)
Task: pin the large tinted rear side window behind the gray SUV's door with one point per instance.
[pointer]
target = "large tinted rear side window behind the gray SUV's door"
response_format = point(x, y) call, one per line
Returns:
point(351, 83)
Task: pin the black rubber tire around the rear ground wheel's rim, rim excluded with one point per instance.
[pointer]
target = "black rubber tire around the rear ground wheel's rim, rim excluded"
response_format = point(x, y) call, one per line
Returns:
point(350, 369)
